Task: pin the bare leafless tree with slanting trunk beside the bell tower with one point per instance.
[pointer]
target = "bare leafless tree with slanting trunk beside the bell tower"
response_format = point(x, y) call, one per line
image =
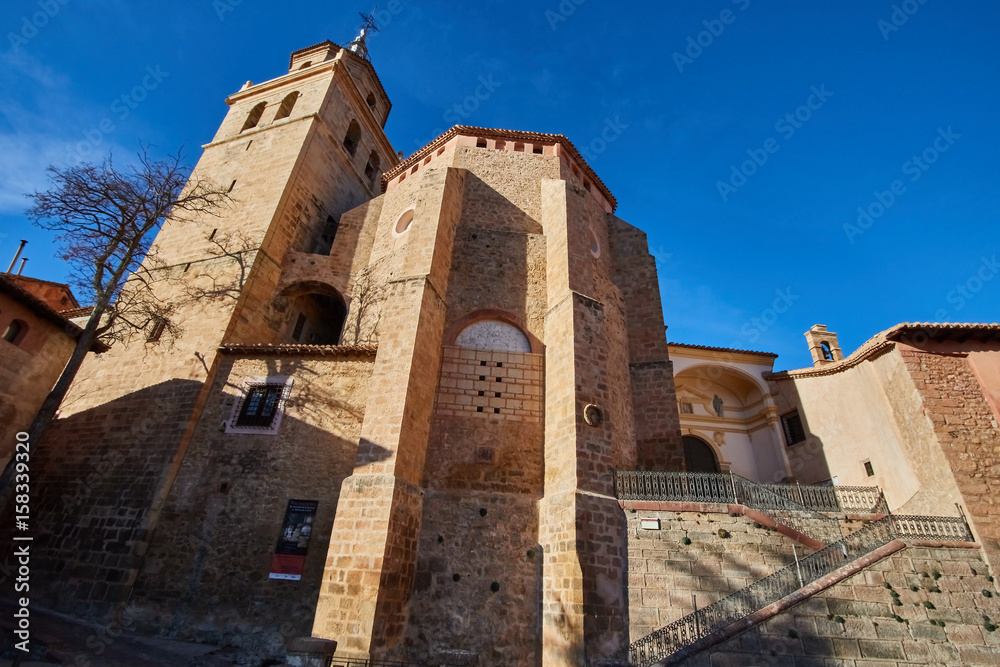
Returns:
point(107, 218)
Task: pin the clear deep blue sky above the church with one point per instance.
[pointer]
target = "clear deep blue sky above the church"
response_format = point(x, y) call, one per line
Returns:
point(752, 214)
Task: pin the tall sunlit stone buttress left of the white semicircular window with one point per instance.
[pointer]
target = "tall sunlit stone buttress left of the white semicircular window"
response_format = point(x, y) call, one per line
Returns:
point(384, 490)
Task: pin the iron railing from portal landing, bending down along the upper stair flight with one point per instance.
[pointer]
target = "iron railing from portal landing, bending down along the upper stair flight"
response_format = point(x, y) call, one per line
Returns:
point(718, 488)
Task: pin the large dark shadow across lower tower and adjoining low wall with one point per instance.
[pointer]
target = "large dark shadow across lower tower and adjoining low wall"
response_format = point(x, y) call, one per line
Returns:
point(206, 573)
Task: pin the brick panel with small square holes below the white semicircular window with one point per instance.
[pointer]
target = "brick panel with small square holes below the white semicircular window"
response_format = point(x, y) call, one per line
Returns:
point(471, 380)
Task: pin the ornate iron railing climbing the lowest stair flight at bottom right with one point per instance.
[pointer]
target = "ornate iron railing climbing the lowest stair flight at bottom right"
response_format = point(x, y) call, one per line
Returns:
point(712, 620)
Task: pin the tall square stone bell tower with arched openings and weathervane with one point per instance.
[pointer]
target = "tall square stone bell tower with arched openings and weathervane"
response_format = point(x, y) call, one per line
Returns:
point(295, 153)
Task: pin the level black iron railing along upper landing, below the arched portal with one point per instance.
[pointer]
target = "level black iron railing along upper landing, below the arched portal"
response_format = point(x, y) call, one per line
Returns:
point(718, 488)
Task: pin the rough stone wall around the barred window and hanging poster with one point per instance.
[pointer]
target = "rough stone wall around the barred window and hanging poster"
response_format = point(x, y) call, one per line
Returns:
point(205, 576)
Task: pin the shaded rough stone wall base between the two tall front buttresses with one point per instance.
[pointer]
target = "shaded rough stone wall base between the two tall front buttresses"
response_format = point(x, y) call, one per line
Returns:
point(478, 580)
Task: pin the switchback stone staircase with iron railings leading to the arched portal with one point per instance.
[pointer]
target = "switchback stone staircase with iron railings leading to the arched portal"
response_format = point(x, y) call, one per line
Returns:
point(803, 511)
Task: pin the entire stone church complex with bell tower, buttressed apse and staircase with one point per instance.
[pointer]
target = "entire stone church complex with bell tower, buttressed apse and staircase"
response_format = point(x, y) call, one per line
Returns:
point(426, 409)
